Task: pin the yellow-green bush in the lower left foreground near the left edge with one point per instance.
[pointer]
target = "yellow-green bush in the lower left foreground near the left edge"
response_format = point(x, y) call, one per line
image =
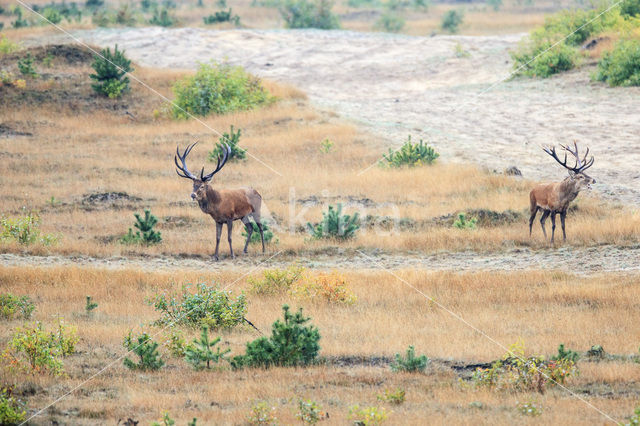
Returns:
point(35, 350)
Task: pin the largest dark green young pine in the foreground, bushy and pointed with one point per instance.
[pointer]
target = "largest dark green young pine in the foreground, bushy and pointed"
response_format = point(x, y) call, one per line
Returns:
point(292, 343)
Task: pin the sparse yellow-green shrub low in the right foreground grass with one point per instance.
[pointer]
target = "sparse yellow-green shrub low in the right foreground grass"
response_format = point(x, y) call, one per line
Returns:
point(517, 372)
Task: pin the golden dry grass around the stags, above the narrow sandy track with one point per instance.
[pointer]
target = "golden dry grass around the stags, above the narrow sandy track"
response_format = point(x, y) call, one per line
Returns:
point(79, 145)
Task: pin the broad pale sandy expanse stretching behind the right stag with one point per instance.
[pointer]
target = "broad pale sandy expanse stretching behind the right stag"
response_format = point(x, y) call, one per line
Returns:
point(397, 85)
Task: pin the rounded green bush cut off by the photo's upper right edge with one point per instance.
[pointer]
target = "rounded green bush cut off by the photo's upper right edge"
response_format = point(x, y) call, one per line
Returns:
point(621, 66)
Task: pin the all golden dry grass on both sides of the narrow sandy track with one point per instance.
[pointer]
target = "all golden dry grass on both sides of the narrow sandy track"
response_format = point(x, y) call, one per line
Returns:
point(64, 145)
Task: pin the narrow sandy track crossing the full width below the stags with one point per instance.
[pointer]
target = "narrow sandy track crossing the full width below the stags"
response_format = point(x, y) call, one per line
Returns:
point(592, 260)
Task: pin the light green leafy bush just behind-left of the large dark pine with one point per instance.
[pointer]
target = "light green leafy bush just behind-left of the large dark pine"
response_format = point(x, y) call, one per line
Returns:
point(207, 306)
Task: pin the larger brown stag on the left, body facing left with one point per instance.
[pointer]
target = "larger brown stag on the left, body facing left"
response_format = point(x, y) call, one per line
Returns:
point(224, 205)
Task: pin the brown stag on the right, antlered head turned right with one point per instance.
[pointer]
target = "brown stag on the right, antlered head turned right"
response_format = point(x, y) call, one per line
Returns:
point(554, 198)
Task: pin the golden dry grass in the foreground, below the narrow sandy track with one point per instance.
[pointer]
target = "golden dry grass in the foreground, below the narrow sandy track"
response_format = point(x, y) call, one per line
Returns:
point(543, 309)
